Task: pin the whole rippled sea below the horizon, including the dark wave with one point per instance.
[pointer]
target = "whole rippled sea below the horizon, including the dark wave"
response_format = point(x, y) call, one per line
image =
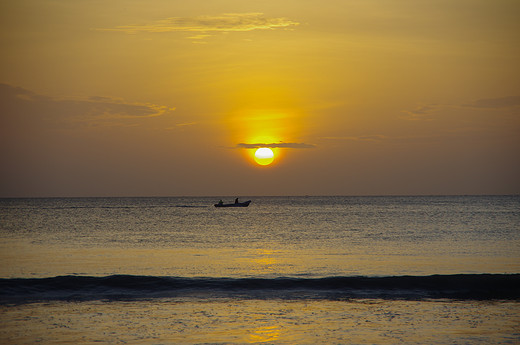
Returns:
point(285, 270)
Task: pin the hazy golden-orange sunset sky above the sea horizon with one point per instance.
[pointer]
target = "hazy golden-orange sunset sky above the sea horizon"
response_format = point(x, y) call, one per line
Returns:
point(172, 98)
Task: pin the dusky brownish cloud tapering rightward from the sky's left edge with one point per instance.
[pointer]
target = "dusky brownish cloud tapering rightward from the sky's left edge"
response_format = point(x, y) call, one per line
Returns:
point(24, 105)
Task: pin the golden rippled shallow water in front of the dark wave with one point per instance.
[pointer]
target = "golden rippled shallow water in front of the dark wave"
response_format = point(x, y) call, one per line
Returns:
point(255, 321)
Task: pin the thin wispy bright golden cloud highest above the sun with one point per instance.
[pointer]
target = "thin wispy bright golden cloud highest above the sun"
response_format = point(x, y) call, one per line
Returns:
point(228, 22)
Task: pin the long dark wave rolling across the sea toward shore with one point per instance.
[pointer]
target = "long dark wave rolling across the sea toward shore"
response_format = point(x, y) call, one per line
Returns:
point(127, 287)
